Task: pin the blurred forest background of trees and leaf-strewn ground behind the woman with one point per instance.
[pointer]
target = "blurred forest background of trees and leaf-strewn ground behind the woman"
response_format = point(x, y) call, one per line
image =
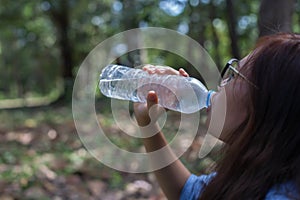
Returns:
point(42, 45)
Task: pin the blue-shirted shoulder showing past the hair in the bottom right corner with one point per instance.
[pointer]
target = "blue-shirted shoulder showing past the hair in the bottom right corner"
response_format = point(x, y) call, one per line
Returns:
point(284, 191)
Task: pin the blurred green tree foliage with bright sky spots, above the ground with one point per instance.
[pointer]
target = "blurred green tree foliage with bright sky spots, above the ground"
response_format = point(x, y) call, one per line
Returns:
point(30, 49)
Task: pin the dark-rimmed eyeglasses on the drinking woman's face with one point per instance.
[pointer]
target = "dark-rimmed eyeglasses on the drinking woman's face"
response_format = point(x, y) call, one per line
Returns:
point(230, 71)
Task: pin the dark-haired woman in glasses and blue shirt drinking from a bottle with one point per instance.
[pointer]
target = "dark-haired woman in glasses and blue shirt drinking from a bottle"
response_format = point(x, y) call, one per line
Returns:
point(262, 129)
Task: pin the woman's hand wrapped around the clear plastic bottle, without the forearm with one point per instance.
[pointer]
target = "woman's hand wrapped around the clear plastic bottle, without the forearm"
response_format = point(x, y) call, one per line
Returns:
point(147, 114)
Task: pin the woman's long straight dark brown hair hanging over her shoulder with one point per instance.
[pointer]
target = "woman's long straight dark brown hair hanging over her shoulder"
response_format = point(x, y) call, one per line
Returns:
point(265, 151)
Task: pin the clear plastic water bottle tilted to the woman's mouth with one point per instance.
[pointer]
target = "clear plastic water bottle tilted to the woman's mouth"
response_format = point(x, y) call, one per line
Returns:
point(178, 93)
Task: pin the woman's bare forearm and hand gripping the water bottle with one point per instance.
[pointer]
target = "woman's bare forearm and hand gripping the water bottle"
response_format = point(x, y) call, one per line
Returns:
point(172, 177)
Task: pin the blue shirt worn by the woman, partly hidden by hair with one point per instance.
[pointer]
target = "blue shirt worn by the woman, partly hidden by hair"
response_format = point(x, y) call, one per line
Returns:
point(194, 185)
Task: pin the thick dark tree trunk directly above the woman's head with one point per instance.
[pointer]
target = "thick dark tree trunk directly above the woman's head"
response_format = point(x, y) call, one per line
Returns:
point(275, 16)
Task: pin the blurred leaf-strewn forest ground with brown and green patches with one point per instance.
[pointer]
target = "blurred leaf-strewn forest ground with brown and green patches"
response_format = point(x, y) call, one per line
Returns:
point(42, 157)
